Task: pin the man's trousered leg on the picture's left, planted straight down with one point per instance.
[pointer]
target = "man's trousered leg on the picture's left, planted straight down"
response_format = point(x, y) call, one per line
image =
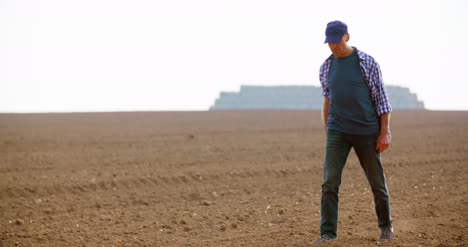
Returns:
point(336, 153)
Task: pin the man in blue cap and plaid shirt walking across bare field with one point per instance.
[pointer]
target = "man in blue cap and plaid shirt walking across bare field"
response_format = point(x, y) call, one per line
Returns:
point(356, 114)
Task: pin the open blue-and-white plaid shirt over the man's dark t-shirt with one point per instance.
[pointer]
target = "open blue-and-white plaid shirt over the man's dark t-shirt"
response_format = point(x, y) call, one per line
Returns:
point(372, 76)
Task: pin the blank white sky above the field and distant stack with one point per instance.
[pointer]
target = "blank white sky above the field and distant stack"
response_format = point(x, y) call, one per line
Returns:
point(111, 55)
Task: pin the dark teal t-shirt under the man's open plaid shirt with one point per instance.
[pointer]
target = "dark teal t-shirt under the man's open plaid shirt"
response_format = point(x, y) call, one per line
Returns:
point(352, 110)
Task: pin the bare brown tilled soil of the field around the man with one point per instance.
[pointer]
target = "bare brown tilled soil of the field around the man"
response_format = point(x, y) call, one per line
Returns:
point(234, 178)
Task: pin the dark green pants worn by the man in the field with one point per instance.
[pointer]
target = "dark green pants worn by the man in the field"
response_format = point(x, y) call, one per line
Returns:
point(337, 151)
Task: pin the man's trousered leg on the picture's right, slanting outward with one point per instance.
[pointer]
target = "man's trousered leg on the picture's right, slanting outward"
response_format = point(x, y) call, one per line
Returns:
point(372, 165)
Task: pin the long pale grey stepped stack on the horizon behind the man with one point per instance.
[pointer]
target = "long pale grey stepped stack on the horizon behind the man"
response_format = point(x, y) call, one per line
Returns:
point(298, 98)
